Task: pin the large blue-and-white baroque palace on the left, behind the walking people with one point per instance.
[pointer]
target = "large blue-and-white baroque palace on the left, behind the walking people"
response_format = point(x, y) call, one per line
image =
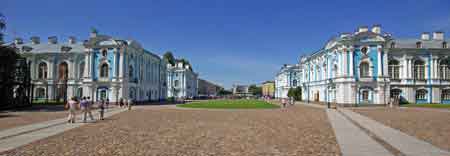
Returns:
point(100, 67)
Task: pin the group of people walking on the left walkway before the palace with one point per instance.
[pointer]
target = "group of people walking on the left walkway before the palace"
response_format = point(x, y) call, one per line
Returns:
point(86, 106)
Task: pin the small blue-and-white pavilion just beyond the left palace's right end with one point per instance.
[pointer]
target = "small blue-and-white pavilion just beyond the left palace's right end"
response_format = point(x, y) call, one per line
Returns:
point(181, 81)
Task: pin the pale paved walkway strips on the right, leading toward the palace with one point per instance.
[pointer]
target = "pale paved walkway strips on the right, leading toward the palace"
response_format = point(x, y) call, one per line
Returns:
point(354, 141)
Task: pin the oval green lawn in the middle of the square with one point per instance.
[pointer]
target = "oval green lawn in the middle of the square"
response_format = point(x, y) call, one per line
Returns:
point(230, 104)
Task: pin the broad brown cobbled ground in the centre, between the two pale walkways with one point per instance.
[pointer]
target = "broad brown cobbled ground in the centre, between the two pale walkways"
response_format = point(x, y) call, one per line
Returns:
point(298, 130)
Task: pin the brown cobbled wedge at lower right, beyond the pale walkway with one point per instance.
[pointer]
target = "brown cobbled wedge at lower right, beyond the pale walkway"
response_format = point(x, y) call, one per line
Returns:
point(428, 125)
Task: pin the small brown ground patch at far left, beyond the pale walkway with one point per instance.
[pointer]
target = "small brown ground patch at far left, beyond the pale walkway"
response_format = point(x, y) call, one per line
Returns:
point(35, 114)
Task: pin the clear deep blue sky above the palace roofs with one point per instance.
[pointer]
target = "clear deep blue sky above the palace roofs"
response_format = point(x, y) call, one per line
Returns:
point(227, 41)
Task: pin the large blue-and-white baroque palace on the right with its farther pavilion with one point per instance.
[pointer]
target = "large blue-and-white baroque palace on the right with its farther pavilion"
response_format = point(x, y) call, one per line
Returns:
point(371, 67)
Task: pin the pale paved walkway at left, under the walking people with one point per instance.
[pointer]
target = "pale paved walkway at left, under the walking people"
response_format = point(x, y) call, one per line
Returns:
point(19, 136)
